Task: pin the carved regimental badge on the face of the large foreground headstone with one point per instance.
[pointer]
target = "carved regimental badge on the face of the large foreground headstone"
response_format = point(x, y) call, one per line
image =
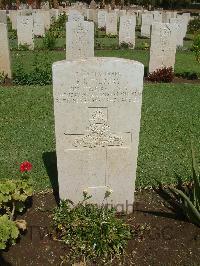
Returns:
point(98, 133)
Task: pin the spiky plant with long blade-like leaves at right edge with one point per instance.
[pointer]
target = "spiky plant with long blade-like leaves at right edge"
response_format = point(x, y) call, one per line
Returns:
point(189, 196)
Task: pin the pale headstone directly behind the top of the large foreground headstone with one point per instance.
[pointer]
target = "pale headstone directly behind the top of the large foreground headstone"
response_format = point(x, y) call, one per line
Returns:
point(79, 39)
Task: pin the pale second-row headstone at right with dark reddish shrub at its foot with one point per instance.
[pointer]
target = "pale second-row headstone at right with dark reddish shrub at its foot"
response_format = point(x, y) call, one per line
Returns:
point(163, 46)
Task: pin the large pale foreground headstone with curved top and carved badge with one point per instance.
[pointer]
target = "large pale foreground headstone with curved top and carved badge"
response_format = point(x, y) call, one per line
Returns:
point(97, 107)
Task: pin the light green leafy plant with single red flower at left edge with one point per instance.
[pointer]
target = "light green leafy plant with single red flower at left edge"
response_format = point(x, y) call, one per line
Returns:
point(13, 198)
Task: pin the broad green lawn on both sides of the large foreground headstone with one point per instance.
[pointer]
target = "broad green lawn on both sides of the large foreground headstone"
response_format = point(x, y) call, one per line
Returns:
point(169, 112)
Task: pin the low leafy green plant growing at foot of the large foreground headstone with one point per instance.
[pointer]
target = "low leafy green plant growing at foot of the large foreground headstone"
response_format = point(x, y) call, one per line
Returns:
point(92, 232)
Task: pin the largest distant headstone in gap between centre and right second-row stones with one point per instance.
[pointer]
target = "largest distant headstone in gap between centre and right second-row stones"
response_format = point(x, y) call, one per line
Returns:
point(127, 30)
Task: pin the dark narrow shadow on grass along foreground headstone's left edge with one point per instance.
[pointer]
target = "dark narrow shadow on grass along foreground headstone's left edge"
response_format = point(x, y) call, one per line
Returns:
point(50, 162)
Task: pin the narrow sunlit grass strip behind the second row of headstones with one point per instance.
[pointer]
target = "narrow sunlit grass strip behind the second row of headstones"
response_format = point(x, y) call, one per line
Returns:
point(185, 60)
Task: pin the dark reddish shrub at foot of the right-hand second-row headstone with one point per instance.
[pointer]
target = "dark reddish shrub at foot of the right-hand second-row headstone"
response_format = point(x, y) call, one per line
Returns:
point(165, 74)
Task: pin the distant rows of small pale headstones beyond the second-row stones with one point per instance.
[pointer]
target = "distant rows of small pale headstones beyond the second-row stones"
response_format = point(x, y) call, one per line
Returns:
point(39, 21)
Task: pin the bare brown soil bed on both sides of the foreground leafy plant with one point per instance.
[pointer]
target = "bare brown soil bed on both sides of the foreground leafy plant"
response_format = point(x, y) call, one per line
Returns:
point(167, 239)
